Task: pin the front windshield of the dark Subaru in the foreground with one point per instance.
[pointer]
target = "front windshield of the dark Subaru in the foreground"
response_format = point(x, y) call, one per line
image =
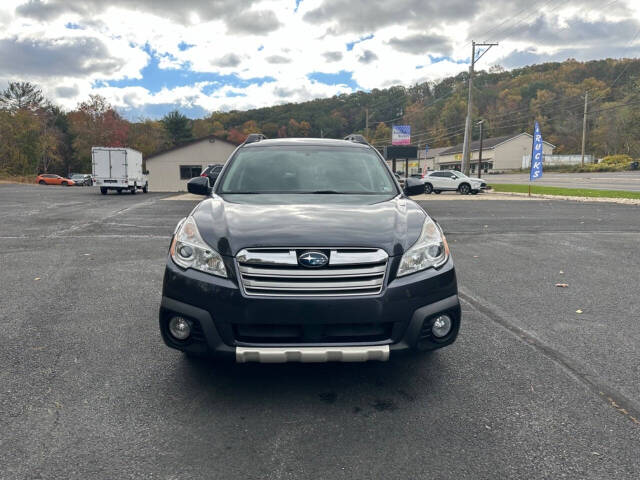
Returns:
point(309, 169)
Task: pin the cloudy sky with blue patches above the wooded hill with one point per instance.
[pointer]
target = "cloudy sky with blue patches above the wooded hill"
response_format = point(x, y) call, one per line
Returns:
point(151, 56)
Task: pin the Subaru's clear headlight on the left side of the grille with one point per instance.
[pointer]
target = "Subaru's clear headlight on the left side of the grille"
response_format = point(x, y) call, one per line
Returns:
point(188, 250)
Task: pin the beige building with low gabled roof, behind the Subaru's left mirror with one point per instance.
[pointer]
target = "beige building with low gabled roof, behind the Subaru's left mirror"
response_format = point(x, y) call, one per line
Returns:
point(170, 170)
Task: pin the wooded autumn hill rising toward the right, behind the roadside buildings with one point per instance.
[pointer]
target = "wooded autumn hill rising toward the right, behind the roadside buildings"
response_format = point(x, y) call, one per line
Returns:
point(509, 102)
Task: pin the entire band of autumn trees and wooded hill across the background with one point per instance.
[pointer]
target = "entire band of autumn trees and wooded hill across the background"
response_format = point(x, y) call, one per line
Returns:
point(36, 136)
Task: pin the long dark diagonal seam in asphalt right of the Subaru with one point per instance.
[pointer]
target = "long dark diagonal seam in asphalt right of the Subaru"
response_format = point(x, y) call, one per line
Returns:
point(576, 370)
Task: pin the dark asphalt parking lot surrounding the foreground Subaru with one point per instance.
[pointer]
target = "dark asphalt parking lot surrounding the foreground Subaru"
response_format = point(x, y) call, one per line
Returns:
point(531, 389)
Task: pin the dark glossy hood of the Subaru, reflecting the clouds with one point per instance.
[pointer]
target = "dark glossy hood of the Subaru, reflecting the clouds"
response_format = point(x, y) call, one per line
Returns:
point(241, 221)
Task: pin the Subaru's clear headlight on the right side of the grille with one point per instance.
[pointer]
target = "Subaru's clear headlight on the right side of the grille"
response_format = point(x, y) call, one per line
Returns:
point(430, 250)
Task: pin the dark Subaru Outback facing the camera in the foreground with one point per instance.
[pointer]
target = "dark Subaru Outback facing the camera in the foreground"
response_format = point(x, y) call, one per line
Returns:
point(308, 250)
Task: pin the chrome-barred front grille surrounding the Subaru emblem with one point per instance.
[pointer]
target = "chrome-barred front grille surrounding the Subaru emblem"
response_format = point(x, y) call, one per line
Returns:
point(276, 272)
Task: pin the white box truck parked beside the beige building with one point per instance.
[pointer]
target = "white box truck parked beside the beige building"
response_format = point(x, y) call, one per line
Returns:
point(118, 169)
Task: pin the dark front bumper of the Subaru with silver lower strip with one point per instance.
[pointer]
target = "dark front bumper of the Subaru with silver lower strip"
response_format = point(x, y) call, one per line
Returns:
point(218, 310)
